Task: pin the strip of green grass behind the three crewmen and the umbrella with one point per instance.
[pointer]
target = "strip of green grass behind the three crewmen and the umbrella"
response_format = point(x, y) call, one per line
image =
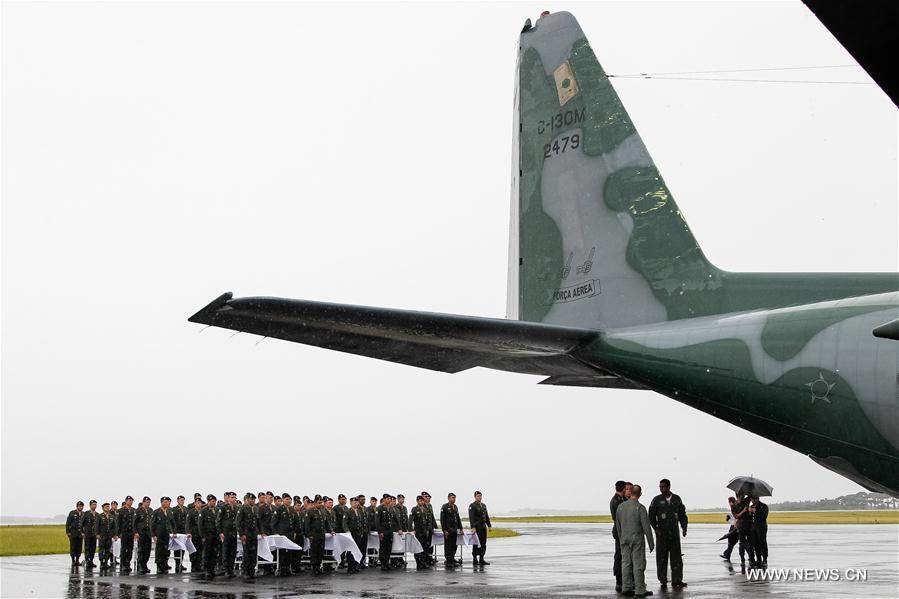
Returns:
point(835, 517)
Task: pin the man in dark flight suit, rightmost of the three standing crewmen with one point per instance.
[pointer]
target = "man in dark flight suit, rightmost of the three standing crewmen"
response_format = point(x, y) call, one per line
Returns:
point(666, 512)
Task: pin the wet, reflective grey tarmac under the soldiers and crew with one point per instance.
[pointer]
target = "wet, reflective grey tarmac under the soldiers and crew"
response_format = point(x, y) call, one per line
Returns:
point(548, 560)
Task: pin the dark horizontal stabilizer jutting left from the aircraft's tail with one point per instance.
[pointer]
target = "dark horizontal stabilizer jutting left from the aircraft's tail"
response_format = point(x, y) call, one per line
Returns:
point(443, 342)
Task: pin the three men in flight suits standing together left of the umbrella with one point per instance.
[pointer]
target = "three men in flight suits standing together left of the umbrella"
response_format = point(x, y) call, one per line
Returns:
point(667, 518)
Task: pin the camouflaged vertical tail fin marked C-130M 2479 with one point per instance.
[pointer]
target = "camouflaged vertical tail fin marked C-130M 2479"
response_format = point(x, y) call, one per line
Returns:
point(596, 238)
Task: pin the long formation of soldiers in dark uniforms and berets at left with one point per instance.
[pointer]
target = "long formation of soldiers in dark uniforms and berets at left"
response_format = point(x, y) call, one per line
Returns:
point(215, 527)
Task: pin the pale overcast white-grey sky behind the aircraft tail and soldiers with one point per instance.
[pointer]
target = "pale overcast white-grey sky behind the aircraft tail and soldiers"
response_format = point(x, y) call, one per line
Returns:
point(155, 155)
